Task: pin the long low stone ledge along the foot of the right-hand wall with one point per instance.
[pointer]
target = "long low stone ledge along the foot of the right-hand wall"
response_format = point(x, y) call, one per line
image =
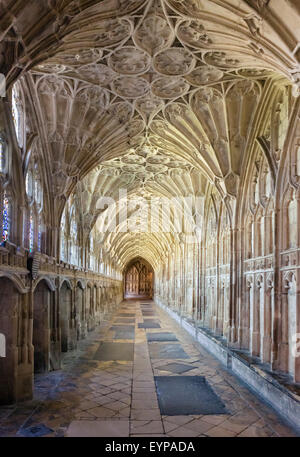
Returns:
point(263, 384)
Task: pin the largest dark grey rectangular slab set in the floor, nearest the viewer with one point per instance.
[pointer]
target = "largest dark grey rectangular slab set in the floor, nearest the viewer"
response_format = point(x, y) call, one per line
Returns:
point(184, 395)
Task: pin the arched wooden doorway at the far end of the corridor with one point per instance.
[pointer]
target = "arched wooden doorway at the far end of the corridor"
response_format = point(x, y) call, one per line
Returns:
point(138, 279)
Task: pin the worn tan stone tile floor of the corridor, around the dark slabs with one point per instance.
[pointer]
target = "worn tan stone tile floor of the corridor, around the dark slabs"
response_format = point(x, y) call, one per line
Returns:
point(117, 398)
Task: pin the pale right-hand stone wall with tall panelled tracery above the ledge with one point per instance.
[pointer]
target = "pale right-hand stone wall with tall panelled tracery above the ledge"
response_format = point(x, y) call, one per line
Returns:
point(240, 279)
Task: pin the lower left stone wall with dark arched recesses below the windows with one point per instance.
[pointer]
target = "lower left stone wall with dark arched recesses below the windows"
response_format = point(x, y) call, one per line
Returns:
point(41, 318)
